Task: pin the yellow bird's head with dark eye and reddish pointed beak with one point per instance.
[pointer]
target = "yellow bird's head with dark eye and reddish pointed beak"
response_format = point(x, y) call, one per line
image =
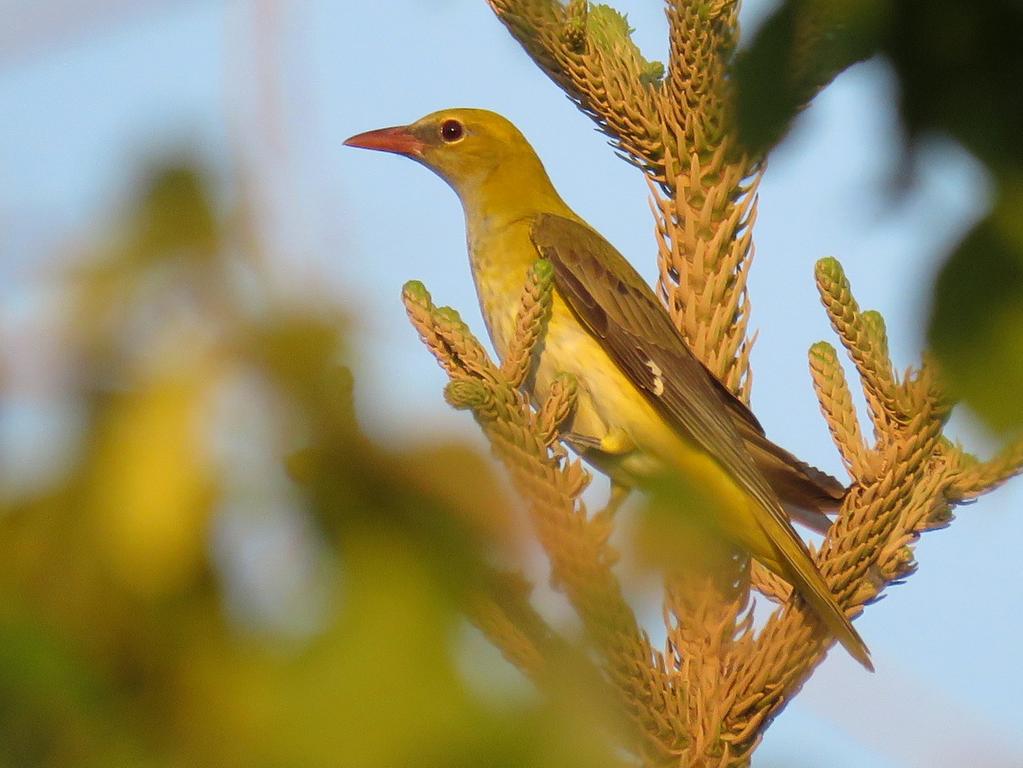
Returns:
point(463, 147)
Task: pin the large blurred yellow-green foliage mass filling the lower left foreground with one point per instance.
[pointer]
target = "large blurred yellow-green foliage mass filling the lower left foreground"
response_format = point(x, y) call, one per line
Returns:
point(170, 597)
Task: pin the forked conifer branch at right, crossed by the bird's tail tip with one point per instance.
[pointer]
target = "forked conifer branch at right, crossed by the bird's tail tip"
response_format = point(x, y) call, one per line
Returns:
point(904, 493)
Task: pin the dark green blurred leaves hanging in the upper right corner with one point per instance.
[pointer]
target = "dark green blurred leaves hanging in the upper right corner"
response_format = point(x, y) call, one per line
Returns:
point(958, 68)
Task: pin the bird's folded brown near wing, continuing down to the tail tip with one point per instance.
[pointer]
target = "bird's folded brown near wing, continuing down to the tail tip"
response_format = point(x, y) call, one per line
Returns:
point(614, 303)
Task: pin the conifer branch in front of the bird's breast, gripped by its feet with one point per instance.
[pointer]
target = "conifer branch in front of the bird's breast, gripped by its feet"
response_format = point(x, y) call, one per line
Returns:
point(576, 544)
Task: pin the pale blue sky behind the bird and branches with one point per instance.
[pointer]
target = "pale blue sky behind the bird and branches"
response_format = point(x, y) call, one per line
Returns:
point(81, 112)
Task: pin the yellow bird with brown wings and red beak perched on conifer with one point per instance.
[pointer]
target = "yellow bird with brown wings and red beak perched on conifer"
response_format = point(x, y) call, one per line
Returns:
point(646, 404)
